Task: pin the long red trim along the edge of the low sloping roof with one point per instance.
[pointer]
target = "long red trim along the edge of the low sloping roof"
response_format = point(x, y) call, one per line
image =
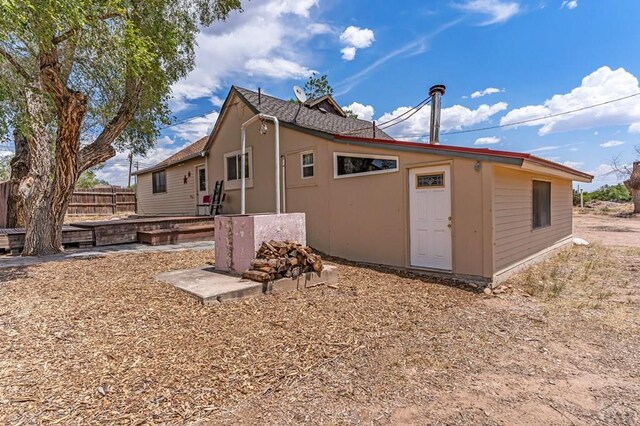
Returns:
point(482, 151)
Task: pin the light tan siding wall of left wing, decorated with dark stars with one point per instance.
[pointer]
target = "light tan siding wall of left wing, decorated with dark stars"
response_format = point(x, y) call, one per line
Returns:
point(180, 198)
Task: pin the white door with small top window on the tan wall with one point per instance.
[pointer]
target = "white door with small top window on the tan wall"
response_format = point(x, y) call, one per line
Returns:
point(430, 217)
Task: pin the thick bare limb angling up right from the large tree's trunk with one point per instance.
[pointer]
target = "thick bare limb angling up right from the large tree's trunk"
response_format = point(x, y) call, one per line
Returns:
point(101, 150)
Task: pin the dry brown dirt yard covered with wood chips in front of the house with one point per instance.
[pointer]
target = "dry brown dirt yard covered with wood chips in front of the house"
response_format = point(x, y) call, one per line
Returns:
point(99, 341)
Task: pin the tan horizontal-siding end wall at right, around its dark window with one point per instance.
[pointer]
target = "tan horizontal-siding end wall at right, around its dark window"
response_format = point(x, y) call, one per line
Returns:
point(515, 240)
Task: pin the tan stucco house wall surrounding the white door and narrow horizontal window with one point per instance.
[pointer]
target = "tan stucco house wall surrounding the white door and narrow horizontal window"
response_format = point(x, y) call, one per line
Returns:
point(362, 218)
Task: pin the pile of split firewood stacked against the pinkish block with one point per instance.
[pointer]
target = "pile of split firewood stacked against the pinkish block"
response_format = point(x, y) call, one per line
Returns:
point(286, 259)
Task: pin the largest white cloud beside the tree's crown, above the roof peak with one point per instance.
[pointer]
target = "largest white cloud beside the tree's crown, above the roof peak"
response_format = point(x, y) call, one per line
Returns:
point(265, 39)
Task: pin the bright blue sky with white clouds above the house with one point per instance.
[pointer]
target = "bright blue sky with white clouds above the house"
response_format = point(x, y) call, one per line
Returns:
point(502, 61)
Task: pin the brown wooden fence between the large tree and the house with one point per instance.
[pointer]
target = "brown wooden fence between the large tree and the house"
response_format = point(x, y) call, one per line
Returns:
point(102, 201)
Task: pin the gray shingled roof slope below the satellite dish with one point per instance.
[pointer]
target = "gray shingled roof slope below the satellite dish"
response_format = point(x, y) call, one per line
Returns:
point(311, 118)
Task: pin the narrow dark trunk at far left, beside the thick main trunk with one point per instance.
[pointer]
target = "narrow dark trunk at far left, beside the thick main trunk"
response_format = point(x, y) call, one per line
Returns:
point(19, 170)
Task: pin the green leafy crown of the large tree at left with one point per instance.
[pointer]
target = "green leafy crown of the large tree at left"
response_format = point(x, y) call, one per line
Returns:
point(102, 44)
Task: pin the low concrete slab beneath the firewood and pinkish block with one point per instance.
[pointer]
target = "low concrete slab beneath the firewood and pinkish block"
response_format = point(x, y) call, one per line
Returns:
point(210, 286)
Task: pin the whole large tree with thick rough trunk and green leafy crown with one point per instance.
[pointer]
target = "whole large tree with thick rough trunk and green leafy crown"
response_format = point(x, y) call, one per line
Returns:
point(79, 79)
